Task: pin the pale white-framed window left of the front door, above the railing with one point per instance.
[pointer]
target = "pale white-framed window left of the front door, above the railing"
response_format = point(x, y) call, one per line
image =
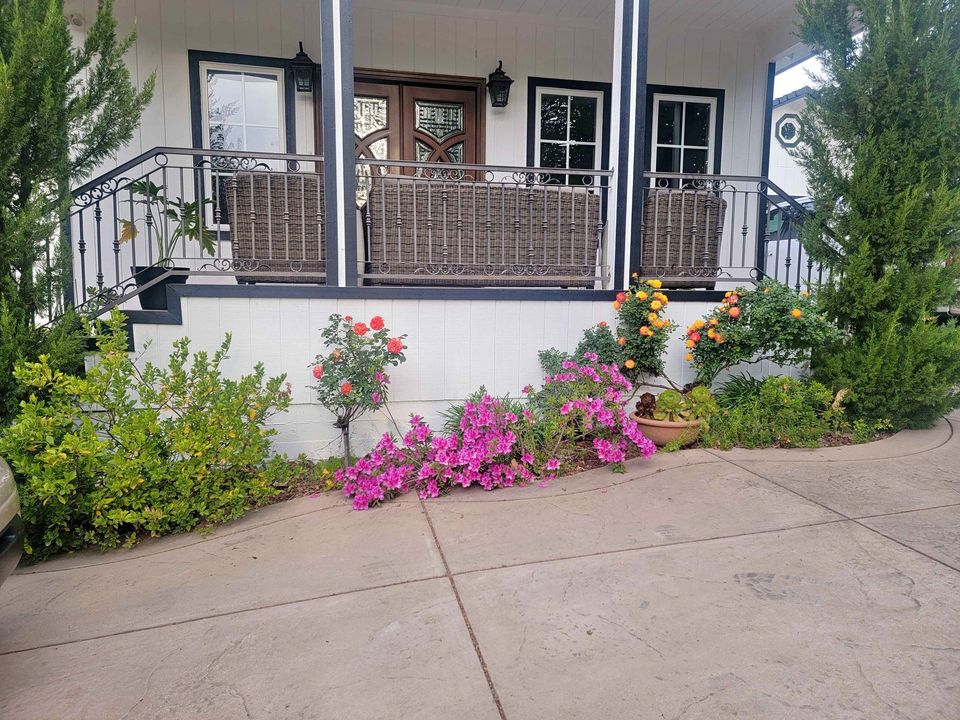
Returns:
point(243, 107)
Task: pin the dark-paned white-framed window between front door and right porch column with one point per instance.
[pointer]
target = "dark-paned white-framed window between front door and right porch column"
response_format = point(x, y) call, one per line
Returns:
point(569, 130)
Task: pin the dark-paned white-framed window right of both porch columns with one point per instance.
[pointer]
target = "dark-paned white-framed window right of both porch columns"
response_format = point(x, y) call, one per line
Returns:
point(683, 133)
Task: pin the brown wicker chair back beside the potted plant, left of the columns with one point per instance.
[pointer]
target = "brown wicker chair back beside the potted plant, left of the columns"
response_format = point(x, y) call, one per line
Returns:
point(276, 225)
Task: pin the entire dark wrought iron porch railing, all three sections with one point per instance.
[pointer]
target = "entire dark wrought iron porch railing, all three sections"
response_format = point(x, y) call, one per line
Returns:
point(230, 216)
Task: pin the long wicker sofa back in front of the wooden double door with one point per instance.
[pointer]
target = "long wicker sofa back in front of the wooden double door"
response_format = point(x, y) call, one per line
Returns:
point(478, 233)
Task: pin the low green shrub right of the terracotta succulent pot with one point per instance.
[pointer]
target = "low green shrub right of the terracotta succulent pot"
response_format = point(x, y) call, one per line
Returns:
point(782, 412)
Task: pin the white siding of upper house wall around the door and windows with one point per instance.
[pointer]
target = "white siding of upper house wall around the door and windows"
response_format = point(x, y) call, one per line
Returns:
point(575, 43)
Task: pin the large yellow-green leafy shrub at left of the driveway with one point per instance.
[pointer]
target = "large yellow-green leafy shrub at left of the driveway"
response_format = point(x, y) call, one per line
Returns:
point(121, 452)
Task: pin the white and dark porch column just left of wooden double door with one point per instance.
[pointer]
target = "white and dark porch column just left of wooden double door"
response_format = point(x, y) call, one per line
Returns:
point(339, 178)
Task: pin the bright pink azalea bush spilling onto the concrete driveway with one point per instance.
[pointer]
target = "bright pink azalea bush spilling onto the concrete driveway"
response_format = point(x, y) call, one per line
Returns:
point(495, 447)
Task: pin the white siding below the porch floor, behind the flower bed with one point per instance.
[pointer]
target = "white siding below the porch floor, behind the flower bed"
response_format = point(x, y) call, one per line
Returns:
point(455, 346)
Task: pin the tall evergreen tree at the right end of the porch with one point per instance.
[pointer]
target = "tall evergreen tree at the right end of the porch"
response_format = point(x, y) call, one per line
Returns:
point(883, 162)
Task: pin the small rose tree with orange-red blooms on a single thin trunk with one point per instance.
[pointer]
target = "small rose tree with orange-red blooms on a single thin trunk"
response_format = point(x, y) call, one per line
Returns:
point(351, 377)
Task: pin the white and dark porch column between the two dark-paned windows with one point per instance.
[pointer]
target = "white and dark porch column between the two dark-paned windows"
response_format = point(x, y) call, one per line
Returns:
point(628, 133)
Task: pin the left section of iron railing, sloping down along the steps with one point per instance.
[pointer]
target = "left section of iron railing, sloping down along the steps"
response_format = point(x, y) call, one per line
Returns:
point(256, 217)
